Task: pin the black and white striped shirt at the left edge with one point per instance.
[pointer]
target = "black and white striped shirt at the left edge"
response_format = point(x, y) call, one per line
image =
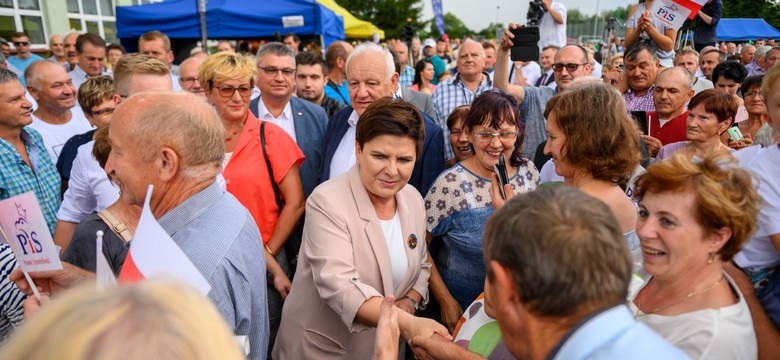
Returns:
point(11, 298)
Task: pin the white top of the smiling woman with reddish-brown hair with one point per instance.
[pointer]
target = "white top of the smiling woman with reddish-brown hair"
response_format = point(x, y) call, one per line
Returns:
point(725, 333)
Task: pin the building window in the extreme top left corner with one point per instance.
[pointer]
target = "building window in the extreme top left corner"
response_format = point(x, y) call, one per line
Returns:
point(23, 15)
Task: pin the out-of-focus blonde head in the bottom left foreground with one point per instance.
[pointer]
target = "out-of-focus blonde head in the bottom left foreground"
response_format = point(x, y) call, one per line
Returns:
point(147, 320)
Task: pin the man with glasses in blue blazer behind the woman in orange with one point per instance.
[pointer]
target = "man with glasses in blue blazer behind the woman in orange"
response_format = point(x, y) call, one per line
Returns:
point(302, 120)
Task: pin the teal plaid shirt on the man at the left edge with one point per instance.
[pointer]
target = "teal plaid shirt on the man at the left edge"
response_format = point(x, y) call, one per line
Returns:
point(17, 178)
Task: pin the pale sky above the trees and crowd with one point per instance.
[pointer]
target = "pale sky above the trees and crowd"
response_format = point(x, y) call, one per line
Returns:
point(478, 14)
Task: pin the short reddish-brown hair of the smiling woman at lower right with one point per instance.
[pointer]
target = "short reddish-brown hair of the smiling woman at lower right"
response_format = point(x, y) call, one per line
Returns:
point(724, 193)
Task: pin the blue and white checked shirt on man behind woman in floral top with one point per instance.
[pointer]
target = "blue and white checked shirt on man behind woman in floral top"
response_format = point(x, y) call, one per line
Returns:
point(451, 94)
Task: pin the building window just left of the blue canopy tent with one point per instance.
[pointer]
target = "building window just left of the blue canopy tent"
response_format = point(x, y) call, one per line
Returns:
point(93, 16)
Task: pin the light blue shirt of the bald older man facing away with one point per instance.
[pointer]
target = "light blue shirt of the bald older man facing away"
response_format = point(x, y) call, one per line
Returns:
point(221, 239)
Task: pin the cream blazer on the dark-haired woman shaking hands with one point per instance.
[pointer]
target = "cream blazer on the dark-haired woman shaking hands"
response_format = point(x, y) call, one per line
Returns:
point(344, 262)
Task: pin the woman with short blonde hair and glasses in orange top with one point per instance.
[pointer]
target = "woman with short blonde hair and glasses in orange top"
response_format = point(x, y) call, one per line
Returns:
point(260, 167)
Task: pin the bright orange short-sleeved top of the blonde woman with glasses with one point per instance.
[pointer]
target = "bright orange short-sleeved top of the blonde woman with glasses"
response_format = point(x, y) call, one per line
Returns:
point(247, 176)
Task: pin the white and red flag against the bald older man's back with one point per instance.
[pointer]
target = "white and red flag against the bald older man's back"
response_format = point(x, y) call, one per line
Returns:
point(154, 254)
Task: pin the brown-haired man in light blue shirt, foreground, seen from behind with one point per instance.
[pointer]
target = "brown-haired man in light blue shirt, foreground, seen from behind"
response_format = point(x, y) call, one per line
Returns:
point(558, 270)
